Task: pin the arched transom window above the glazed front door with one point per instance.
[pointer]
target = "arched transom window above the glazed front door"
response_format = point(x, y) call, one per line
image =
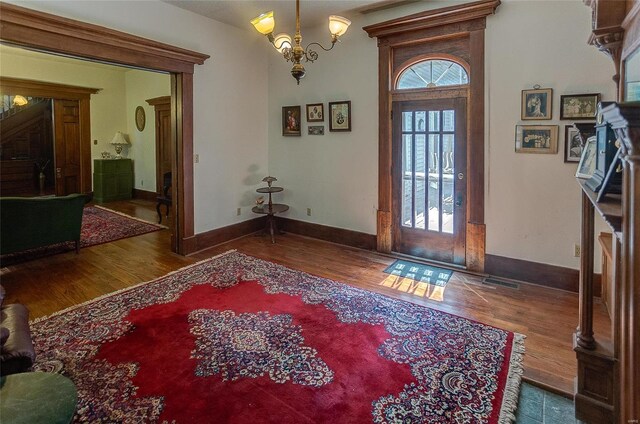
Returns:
point(432, 73)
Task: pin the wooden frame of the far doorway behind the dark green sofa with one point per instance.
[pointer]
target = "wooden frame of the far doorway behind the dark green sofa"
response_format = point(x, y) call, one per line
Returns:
point(62, 92)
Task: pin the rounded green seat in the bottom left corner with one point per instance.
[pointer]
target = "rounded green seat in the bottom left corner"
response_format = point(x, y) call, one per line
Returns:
point(37, 397)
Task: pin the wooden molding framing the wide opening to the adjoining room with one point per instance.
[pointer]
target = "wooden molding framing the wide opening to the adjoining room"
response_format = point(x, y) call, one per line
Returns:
point(54, 34)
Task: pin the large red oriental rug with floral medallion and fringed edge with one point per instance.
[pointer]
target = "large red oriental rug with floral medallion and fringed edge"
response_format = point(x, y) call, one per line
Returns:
point(238, 339)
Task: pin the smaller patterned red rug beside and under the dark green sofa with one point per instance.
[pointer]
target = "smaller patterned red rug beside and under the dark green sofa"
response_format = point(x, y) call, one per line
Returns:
point(99, 225)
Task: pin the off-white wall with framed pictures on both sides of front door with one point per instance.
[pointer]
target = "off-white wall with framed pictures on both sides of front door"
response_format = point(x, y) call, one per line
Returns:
point(532, 201)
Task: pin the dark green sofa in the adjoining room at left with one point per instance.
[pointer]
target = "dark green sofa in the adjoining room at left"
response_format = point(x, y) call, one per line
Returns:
point(29, 222)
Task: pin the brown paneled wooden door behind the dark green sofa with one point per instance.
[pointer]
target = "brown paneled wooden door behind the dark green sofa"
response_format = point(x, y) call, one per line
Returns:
point(66, 115)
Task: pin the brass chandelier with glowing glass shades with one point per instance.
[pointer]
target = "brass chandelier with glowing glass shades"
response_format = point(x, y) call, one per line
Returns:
point(265, 24)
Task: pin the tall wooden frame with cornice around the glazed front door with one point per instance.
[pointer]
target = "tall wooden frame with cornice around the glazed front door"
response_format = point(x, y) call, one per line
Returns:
point(407, 40)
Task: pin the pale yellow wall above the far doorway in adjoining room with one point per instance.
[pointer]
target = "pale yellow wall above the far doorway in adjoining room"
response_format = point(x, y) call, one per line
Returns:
point(107, 113)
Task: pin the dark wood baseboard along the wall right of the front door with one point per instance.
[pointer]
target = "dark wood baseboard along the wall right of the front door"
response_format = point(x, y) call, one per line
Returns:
point(537, 273)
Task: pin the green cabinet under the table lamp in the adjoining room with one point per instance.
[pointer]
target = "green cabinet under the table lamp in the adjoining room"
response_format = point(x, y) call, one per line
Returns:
point(112, 179)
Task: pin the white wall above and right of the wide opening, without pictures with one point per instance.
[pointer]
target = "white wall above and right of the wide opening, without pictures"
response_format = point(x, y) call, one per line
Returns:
point(230, 97)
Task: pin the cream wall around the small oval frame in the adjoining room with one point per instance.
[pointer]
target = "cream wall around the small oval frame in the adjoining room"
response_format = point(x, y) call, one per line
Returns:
point(140, 86)
